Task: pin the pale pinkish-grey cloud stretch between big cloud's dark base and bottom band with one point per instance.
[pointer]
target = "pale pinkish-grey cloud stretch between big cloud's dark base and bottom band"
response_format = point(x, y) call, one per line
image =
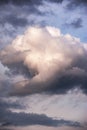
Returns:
point(57, 105)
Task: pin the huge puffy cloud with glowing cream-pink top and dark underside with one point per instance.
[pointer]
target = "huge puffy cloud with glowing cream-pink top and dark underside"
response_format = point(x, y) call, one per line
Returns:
point(48, 61)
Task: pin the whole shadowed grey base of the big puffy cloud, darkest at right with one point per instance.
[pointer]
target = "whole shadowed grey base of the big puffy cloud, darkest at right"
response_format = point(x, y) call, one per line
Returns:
point(57, 85)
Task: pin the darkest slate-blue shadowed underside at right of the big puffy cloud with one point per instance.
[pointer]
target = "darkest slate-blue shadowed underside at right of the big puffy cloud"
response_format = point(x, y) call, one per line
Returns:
point(68, 82)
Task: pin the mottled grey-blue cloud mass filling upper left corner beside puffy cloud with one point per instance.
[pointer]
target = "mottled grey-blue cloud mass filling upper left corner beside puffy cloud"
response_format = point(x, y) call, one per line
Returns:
point(15, 16)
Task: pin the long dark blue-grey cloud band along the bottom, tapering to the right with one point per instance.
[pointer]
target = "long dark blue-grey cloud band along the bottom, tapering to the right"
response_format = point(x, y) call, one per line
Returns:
point(24, 119)
